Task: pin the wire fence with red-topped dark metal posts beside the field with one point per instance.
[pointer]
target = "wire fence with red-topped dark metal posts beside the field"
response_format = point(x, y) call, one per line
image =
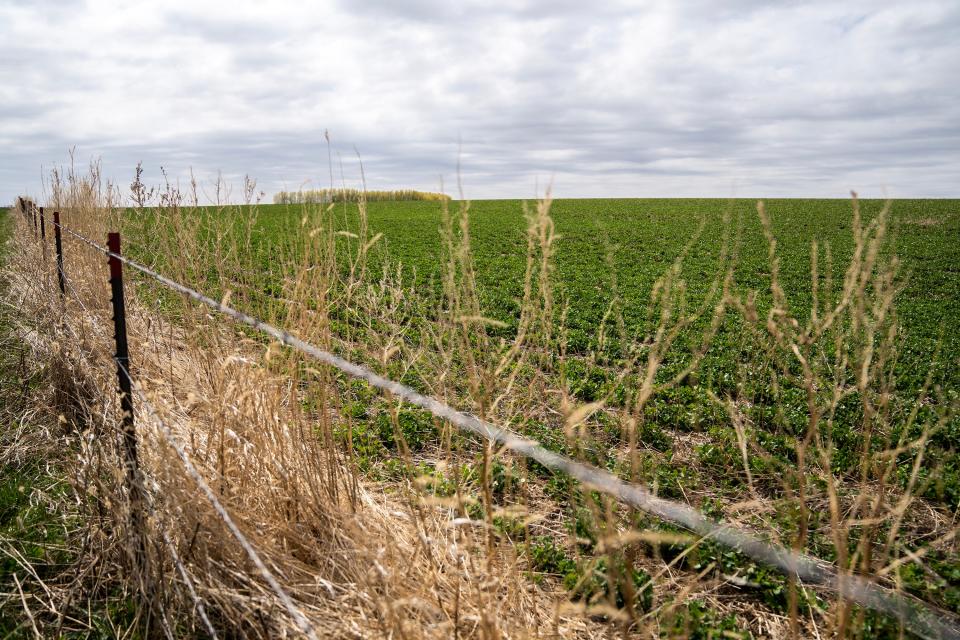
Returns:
point(916, 616)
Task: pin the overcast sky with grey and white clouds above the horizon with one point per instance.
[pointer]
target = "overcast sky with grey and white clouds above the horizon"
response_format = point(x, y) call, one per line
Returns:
point(600, 99)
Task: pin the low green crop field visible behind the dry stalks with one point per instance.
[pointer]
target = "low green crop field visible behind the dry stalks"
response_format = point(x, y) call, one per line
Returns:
point(608, 257)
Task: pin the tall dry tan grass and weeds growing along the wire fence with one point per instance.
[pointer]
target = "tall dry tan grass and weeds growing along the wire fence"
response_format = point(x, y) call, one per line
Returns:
point(448, 537)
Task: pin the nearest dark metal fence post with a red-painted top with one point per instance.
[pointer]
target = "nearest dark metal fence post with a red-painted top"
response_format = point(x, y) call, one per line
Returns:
point(124, 375)
